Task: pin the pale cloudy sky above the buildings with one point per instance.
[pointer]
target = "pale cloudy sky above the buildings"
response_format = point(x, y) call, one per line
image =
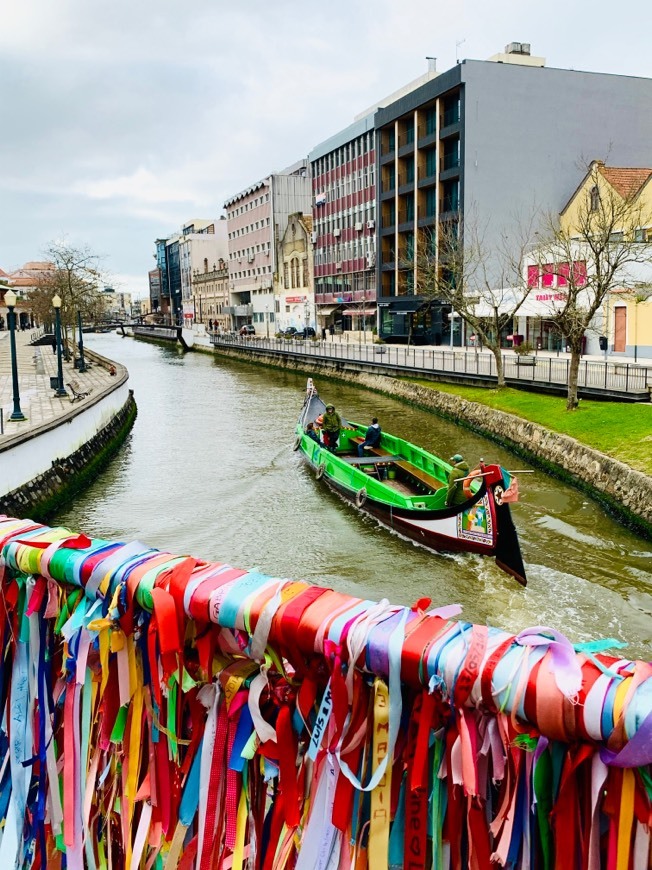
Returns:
point(121, 120)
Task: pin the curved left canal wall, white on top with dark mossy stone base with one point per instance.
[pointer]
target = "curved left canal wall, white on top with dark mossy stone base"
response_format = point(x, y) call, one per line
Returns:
point(46, 466)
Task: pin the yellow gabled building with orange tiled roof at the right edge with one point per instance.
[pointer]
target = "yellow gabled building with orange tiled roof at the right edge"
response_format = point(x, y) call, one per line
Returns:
point(627, 313)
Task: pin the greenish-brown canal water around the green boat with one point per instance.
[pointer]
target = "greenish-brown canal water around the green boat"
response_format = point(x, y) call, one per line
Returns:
point(209, 470)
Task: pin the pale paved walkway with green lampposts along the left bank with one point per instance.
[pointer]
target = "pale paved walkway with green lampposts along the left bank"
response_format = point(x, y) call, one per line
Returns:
point(37, 400)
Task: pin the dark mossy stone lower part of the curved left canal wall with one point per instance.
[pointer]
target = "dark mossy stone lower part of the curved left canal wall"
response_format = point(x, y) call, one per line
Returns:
point(68, 475)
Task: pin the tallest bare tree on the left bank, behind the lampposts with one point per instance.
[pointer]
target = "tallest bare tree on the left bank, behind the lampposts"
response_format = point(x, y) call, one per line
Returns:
point(76, 277)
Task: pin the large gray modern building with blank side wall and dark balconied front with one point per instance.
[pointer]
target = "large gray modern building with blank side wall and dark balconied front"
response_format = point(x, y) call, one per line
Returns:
point(495, 138)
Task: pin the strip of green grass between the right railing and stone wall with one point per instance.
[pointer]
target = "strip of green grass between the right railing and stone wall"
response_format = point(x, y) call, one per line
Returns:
point(621, 430)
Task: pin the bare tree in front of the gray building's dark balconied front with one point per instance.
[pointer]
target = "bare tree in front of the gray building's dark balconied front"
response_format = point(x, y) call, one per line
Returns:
point(484, 283)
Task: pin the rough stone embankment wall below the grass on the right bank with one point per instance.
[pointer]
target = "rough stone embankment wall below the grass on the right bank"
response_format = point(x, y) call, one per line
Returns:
point(626, 492)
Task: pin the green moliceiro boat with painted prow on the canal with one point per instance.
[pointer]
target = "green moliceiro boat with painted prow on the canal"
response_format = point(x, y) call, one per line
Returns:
point(404, 487)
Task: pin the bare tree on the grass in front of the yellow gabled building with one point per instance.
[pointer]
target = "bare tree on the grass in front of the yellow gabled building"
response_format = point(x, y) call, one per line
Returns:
point(596, 247)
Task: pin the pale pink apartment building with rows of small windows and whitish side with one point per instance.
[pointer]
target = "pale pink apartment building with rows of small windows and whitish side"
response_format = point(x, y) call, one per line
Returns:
point(256, 219)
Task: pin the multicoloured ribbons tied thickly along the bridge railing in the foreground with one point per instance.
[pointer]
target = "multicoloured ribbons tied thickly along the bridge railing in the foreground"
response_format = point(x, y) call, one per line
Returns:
point(162, 712)
